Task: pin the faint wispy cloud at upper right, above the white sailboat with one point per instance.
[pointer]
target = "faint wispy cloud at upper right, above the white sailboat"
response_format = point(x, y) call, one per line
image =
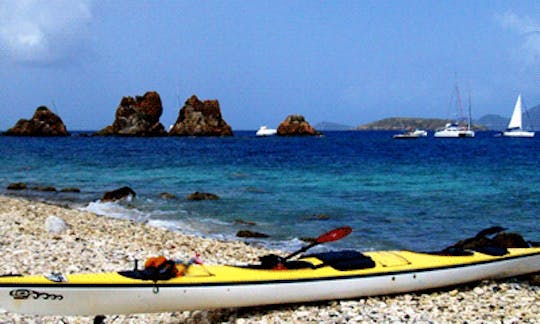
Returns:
point(528, 31)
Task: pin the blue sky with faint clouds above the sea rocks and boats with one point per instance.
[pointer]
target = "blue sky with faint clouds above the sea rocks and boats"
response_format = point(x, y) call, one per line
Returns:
point(348, 62)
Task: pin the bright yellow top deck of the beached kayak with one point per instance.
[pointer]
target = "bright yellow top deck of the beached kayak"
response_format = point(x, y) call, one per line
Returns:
point(386, 263)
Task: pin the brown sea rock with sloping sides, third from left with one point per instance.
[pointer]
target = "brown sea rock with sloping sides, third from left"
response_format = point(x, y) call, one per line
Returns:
point(200, 118)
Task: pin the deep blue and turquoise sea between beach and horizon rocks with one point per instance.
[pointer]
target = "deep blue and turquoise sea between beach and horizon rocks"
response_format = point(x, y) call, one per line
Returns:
point(420, 194)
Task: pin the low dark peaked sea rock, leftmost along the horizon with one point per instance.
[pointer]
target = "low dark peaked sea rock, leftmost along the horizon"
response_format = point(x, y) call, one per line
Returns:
point(43, 123)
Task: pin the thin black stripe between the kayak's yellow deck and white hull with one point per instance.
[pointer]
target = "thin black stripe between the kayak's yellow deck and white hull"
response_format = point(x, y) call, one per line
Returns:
point(148, 283)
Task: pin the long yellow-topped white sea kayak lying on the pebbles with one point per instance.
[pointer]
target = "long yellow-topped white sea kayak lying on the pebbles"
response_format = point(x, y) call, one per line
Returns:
point(228, 286)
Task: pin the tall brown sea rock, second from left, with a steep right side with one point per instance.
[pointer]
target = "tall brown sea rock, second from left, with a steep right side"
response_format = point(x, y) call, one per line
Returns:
point(137, 116)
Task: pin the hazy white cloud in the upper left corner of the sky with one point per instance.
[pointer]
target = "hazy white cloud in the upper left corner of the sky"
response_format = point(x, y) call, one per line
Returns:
point(43, 32)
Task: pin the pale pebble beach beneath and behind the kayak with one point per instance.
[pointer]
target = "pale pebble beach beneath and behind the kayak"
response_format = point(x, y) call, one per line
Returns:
point(92, 243)
